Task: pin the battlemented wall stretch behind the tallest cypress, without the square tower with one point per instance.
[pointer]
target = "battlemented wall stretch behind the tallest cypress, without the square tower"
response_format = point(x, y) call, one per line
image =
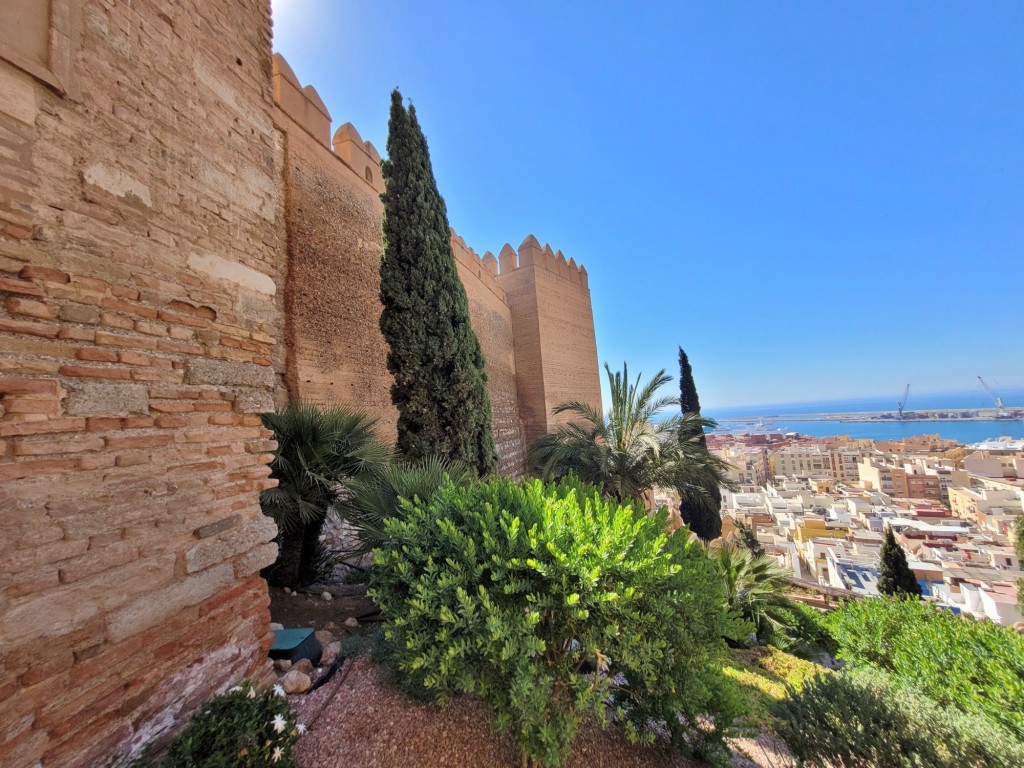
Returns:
point(336, 350)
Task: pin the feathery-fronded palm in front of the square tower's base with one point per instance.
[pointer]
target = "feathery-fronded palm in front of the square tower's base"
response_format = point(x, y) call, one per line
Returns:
point(626, 453)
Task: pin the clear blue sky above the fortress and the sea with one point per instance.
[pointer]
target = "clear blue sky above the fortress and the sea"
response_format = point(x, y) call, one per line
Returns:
point(817, 200)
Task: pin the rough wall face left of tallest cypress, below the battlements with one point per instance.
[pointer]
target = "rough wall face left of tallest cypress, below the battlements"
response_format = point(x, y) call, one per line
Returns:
point(336, 352)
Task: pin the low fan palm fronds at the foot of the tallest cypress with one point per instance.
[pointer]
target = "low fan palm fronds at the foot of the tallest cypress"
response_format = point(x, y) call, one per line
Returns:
point(375, 497)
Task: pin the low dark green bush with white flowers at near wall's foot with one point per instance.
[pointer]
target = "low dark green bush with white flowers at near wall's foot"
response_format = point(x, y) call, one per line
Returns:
point(249, 728)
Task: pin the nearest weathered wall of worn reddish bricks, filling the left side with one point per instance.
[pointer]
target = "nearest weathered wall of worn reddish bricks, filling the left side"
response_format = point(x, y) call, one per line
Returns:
point(142, 246)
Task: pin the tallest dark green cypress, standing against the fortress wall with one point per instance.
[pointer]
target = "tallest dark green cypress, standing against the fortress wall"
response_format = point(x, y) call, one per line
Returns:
point(440, 381)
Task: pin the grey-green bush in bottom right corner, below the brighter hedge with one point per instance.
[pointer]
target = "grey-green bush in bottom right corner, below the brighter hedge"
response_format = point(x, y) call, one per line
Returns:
point(863, 718)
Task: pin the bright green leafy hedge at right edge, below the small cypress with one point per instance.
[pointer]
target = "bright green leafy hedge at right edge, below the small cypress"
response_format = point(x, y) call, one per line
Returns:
point(975, 666)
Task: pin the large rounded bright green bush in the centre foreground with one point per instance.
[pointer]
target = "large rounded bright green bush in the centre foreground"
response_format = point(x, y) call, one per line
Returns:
point(553, 605)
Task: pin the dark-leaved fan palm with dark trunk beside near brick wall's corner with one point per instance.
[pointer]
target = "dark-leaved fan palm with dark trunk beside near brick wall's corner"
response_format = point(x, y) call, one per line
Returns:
point(320, 450)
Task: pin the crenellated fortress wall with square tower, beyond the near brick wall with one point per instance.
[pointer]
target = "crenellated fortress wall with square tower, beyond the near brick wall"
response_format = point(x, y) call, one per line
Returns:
point(530, 310)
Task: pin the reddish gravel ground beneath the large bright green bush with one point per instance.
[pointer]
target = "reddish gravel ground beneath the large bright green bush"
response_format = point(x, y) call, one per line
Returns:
point(358, 722)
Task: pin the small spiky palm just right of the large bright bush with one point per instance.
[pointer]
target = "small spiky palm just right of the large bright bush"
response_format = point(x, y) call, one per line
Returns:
point(755, 589)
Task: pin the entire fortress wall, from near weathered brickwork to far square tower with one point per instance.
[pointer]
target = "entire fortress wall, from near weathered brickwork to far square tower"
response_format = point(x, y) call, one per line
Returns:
point(183, 246)
